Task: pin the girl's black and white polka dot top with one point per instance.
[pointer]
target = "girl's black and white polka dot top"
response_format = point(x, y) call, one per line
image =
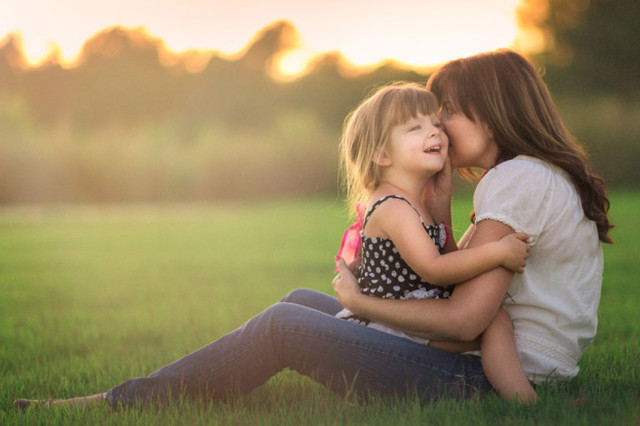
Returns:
point(384, 273)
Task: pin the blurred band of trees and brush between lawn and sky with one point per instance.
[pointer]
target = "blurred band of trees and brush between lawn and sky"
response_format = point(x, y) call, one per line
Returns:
point(131, 121)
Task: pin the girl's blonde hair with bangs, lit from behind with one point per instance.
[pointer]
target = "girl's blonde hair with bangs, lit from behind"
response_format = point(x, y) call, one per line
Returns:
point(367, 131)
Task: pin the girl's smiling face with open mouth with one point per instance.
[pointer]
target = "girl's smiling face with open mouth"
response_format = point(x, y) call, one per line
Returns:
point(418, 146)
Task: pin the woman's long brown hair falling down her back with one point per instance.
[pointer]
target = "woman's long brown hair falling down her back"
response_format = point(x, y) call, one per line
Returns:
point(504, 91)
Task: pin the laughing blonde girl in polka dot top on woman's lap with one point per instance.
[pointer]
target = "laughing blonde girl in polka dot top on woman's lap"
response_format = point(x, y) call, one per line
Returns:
point(392, 145)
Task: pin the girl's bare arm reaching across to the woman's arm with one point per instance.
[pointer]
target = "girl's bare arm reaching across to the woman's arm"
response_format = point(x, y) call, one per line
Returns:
point(400, 223)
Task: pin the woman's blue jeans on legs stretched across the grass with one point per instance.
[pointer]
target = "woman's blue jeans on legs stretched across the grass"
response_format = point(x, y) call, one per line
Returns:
point(301, 333)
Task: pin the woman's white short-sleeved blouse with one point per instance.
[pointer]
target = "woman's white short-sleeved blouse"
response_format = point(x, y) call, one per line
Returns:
point(554, 303)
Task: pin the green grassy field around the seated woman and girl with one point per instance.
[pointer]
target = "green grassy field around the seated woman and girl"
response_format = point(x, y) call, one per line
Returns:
point(91, 296)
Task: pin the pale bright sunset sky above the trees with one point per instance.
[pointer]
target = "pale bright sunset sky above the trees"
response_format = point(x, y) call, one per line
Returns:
point(418, 33)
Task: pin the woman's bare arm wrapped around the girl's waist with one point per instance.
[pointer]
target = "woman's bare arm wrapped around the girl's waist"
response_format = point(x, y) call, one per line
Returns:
point(463, 317)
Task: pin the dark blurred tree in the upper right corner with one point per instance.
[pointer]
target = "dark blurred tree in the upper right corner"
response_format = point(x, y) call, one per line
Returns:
point(591, 45)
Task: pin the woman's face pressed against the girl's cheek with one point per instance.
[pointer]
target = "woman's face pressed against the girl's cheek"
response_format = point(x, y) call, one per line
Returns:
point(471, 142)
